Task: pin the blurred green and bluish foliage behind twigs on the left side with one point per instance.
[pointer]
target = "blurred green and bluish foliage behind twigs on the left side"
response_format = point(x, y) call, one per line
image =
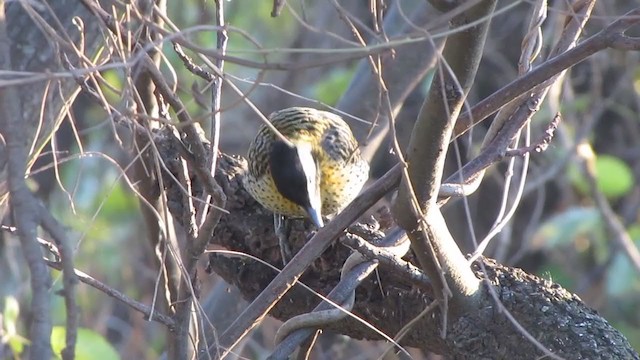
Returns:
point(102, 216)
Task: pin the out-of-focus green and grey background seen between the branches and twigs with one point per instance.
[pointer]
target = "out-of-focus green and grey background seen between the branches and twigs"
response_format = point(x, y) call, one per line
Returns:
point(560, 230)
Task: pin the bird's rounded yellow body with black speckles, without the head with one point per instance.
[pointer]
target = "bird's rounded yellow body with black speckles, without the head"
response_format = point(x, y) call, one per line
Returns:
point(342, 169)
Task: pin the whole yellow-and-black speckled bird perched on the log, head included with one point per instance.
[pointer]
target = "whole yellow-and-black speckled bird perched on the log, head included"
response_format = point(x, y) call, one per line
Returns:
point(338, 171)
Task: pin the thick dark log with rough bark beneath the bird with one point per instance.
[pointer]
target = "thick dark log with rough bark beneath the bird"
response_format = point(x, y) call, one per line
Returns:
point(554, 316)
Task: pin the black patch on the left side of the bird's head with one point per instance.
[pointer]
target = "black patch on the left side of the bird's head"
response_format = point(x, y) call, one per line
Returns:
point(288, 173)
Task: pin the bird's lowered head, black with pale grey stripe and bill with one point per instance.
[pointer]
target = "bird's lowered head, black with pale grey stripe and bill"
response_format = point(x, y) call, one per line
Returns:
point(295, 174)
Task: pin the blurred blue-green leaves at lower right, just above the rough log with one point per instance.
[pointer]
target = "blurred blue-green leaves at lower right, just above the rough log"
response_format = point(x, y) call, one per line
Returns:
point(577, 243)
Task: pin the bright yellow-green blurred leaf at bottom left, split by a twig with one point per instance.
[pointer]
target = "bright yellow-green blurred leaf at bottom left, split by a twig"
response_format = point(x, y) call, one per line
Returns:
point(90, 345)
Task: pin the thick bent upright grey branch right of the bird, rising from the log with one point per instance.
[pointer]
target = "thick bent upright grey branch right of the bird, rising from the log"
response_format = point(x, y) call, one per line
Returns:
point(426, 155)
